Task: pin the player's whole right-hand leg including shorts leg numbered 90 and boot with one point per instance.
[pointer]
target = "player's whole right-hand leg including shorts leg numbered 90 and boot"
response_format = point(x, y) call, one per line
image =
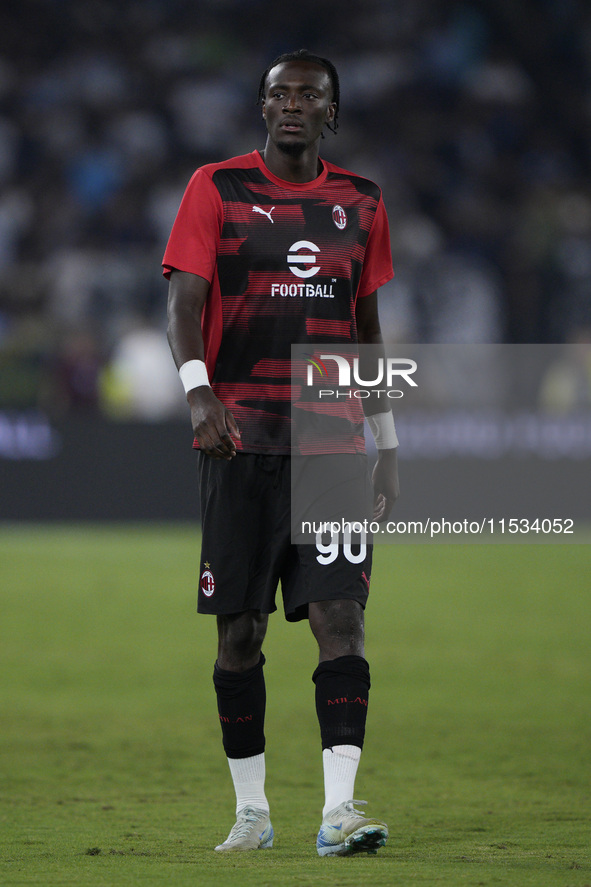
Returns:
point(331, 588)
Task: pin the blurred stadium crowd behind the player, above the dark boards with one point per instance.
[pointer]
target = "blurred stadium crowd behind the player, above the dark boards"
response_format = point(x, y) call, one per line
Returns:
point(474, 117)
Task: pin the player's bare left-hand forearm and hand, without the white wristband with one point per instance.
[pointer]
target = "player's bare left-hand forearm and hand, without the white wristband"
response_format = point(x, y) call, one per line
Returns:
point(213, 425)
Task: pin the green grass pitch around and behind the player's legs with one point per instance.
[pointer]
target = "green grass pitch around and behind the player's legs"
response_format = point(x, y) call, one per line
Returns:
point(112, 773)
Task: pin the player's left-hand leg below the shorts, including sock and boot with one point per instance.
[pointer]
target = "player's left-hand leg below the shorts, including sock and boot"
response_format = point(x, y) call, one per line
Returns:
point(240, 689)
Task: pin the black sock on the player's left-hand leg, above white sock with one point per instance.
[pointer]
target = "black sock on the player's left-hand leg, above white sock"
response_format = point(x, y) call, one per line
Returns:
point(241, 706)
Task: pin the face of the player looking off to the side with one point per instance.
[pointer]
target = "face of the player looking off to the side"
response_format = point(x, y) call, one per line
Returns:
point(298, 103)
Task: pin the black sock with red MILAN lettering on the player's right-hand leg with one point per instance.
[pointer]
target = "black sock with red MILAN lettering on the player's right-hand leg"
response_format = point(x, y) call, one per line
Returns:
point(342, 690)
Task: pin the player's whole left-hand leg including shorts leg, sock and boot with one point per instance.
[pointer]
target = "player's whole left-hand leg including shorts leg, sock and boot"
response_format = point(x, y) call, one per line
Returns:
point(239, 576)
